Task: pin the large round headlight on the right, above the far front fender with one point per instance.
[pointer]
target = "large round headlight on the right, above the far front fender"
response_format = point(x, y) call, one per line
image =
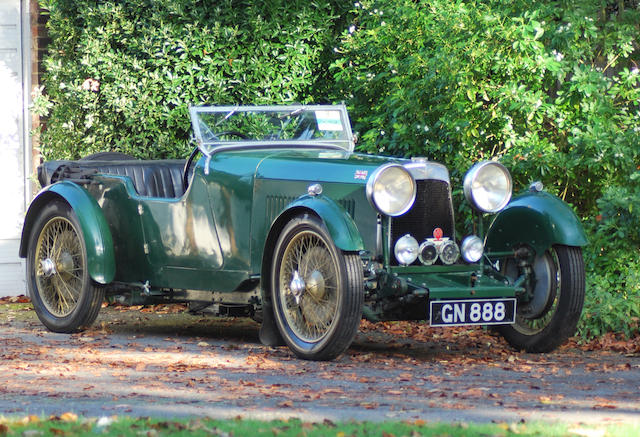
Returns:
point(487, 186)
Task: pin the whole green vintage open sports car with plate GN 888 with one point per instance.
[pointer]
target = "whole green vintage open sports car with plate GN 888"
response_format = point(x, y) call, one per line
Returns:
point(274, 216)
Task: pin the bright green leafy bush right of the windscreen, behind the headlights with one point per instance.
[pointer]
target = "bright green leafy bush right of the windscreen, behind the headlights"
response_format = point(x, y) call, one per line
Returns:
point(550, 89)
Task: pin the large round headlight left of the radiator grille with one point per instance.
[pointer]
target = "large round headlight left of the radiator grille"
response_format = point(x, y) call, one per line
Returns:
point(391, 189)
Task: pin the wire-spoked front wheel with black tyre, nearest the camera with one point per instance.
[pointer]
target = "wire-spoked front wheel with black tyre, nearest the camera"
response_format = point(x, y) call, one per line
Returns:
point(317, 289)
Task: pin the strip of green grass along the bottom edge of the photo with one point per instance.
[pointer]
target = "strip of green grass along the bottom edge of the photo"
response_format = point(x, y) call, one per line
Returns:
point(69, 424)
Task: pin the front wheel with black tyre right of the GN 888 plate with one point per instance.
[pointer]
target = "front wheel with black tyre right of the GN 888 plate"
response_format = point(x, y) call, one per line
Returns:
point(550, 317)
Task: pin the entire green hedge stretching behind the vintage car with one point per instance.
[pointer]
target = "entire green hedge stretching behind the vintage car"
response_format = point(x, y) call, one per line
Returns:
point(552, 89)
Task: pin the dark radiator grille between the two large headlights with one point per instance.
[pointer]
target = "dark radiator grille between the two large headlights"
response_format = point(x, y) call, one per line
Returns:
point(432, 209)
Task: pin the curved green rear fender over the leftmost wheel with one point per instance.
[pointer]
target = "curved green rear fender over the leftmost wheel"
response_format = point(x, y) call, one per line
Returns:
point(95, 230)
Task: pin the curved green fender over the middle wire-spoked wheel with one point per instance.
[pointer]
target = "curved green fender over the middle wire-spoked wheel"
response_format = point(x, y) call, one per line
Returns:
point(340, 225)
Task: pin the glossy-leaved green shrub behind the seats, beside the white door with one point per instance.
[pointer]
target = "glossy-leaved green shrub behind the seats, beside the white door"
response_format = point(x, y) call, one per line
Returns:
point(121, 74)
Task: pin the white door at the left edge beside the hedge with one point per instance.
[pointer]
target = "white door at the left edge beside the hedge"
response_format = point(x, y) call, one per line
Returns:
point(12, 175)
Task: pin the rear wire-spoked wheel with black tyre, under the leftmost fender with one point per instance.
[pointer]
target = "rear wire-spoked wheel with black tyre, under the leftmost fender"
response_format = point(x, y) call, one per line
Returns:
point(63, 294)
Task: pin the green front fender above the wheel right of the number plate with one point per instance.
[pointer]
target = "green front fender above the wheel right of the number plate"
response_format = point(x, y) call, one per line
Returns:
point(537, 219)
